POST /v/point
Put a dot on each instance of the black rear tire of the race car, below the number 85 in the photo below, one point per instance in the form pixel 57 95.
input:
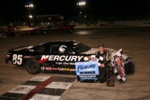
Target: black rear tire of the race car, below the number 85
pixel 32 66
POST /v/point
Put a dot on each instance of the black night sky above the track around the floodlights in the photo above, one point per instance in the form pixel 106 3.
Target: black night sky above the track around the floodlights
pixel 15 9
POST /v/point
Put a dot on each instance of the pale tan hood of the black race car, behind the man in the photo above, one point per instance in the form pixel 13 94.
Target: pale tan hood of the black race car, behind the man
pixel 113 52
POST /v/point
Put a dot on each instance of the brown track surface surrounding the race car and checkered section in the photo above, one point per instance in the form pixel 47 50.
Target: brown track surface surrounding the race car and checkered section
pixel 135 42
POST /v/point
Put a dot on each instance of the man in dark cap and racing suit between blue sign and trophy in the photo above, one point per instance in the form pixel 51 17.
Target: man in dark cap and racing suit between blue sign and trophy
pixel 103 58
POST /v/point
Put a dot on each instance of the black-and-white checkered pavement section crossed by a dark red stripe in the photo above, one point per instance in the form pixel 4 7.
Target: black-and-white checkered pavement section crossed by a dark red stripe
pixel 40 88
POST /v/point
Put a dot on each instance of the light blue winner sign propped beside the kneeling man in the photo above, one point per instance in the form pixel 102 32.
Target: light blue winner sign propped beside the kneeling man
pixel 87 71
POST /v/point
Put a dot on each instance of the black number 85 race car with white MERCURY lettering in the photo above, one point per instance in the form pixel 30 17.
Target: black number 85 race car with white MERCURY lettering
pixel 55 56
